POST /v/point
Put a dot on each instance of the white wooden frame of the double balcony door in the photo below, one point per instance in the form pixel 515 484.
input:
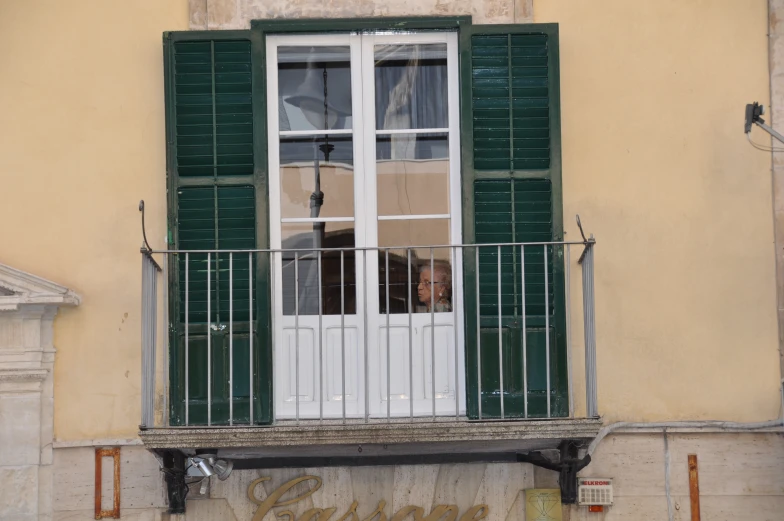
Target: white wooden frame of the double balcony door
pixel 365 220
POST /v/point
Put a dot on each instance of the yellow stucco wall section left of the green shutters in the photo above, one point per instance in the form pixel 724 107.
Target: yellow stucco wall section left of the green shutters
pixel 81 141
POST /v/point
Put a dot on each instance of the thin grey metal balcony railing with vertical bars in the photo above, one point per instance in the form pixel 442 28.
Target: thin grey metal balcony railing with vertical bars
pixel 342 338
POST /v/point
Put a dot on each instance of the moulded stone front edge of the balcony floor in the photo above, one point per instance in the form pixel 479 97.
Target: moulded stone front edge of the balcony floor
pixel 285 435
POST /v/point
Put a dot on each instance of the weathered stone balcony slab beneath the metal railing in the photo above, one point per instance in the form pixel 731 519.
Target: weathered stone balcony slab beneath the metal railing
pixel 373 439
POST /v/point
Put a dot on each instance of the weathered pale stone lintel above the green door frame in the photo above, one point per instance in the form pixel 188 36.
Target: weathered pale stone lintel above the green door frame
pixel 237 14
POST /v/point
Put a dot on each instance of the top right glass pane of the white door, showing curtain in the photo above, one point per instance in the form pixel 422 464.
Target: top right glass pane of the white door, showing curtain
pixel 411 86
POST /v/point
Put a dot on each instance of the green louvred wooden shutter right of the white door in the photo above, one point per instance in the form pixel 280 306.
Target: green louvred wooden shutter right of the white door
pixel 512 178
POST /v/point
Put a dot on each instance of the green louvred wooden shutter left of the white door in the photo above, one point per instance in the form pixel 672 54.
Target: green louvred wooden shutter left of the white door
pixel 213 204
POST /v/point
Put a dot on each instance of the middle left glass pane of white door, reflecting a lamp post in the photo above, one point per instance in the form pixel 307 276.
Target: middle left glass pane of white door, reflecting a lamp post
pixel 326 161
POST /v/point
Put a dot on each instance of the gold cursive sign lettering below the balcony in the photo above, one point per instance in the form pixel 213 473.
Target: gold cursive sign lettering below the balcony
pixel 408 513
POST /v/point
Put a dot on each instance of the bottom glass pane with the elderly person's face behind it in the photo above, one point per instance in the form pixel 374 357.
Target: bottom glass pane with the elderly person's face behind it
pixel 422 233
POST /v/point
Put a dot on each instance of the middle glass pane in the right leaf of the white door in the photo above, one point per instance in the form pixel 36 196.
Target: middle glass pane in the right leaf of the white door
pixel 412 174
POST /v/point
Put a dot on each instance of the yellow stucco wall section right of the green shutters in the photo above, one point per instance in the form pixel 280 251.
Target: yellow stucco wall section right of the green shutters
pixel 656 164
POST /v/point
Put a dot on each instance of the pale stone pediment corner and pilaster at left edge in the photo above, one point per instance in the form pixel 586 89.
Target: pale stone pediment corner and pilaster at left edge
pixel 28 305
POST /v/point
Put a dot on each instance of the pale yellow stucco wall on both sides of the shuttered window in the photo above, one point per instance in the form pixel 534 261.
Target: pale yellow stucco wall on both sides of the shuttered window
pixel 654 161
